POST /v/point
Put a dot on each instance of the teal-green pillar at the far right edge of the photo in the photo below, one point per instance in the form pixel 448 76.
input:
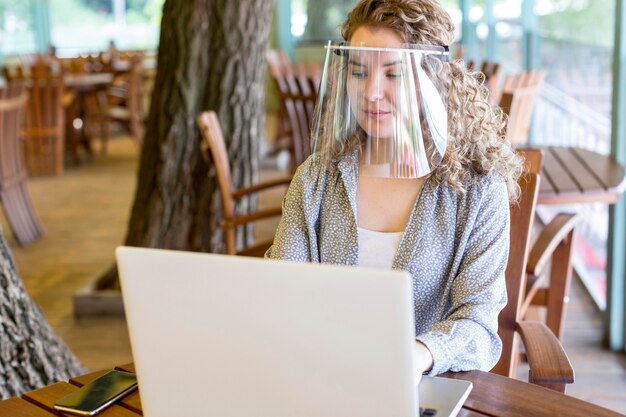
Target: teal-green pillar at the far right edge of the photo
pixel 615 318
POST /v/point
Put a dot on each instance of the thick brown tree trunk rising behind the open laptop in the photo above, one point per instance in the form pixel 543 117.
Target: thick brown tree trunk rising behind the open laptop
pixel 211 57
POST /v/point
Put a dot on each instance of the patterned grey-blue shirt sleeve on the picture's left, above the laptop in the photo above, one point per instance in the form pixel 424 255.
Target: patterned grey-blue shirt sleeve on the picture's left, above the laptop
pixel 296 238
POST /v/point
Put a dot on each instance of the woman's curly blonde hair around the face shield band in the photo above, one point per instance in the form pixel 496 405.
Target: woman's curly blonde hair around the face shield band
pixel 476 143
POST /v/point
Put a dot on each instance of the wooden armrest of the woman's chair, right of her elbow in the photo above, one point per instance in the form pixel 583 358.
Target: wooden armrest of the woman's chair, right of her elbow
pixel 549 365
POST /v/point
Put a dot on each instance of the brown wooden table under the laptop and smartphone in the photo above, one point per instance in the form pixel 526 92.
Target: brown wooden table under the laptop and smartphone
pixel 493 395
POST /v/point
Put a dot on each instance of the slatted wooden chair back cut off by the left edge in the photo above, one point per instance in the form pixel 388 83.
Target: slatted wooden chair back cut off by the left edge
pixel 14 195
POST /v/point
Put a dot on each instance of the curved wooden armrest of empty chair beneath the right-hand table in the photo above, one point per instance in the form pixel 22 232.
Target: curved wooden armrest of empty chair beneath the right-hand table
pixel 549 238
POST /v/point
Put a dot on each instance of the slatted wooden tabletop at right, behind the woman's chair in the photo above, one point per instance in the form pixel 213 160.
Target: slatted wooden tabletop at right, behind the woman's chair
pixel 573 175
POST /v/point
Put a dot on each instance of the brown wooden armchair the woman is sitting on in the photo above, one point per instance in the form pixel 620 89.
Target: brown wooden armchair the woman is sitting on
pixel 549 365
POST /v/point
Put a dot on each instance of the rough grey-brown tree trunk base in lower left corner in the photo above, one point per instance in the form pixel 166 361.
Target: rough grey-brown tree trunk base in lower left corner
pixel 31 354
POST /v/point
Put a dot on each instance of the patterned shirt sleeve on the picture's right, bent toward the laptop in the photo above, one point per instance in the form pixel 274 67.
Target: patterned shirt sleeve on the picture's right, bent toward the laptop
pixel 467 336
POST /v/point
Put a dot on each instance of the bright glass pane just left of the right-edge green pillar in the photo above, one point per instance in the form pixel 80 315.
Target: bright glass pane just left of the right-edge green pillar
pixel 576 41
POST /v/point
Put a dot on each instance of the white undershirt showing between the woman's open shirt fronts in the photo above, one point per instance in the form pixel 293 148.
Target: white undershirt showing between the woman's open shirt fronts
pixel 377 249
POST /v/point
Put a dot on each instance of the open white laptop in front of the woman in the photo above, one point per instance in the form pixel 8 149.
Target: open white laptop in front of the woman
pixel 216 335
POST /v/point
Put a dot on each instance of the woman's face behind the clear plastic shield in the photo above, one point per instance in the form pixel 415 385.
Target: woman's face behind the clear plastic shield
pixel 372 80
